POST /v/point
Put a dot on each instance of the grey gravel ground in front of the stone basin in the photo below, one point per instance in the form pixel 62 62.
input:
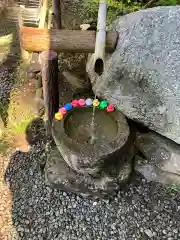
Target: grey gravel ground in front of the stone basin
pixel 142 211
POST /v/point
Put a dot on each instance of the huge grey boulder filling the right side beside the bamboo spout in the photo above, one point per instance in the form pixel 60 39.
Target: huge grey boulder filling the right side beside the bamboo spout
pixel 142 76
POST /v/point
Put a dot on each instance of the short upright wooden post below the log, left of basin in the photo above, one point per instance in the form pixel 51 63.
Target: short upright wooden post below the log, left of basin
pixel 49 69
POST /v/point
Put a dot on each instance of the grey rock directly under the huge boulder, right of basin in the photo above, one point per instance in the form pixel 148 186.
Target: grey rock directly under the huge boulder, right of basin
pixel 160 152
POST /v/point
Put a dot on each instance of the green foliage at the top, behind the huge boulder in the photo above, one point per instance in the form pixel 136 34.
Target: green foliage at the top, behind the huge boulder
pixel 121 7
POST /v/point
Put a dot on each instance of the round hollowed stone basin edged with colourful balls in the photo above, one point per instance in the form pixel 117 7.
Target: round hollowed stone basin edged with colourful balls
pixel 72 136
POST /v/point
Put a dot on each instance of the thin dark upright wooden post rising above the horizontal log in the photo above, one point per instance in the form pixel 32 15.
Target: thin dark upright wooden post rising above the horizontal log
pixel 57 14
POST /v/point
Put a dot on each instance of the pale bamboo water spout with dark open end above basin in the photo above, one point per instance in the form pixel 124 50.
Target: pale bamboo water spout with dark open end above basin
pixel 99 55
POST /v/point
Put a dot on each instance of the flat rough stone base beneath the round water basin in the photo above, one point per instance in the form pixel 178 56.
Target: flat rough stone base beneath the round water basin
pixel 60 176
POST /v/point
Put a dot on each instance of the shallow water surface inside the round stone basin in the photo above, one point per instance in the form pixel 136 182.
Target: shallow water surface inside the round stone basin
pixel 78 126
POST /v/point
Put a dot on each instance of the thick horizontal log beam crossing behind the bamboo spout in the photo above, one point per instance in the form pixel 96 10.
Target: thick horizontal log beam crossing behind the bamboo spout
pixel 39 40
